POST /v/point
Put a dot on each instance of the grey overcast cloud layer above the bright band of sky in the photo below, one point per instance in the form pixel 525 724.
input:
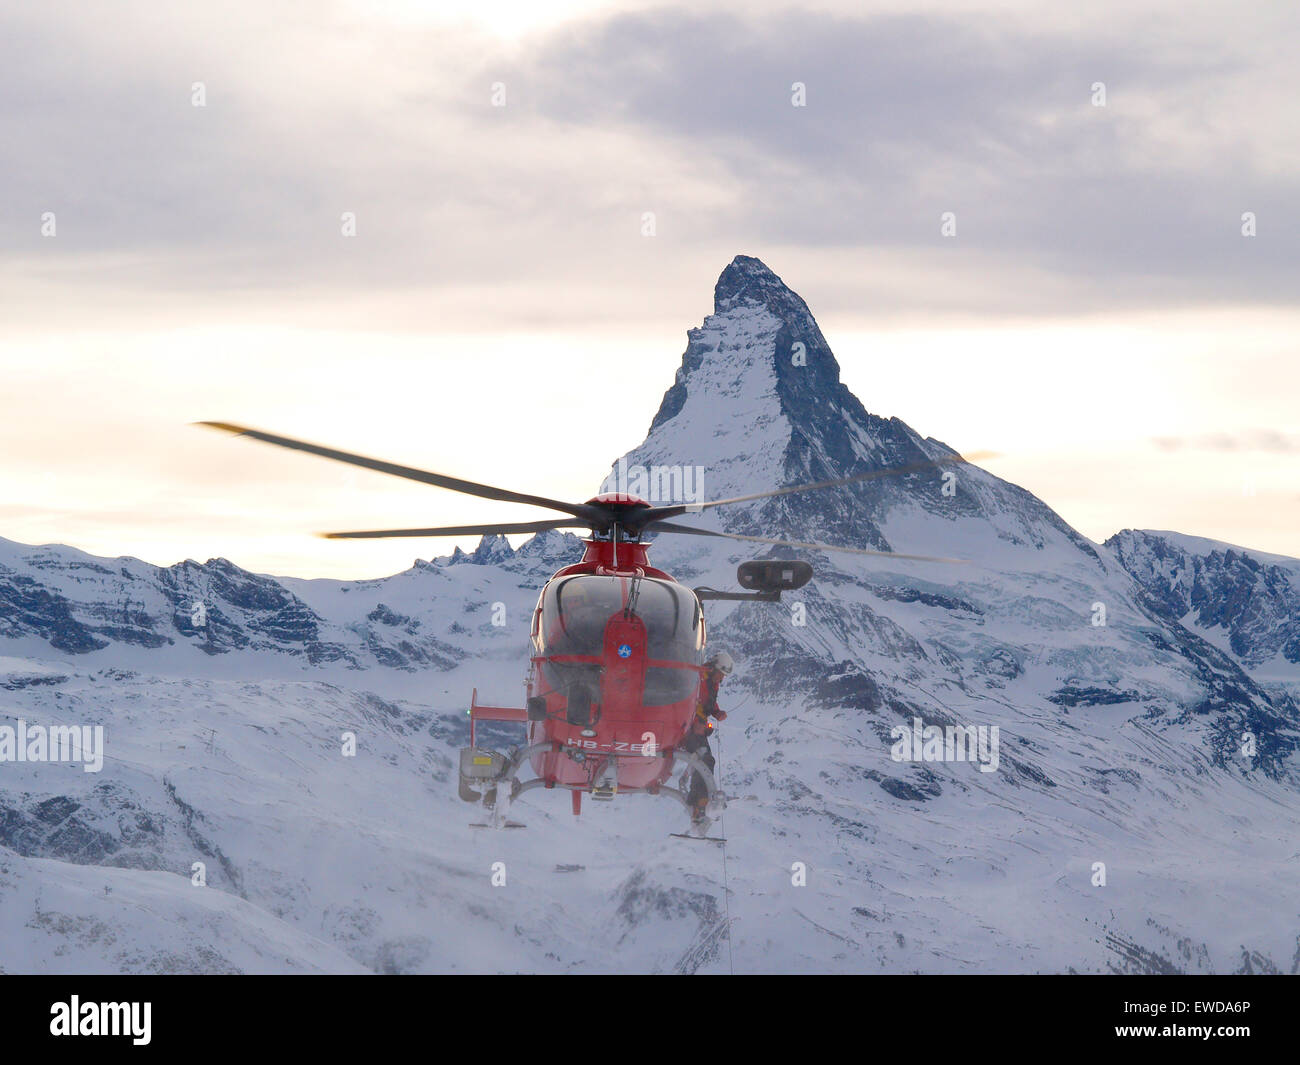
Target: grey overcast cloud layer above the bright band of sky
pixel 1068 205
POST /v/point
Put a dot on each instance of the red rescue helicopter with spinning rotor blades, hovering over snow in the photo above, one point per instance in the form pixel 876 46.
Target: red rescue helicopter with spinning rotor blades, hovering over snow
pixel 618 646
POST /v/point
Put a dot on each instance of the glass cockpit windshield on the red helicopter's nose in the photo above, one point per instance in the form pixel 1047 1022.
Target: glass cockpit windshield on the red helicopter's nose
pixel 575 612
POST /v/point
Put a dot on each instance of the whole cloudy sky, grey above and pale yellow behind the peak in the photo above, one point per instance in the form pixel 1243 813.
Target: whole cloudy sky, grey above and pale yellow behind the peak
pixel 1099 317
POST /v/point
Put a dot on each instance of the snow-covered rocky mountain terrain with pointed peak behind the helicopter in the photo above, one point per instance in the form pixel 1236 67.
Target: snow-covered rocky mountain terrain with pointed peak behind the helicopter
pixel 1143 692
